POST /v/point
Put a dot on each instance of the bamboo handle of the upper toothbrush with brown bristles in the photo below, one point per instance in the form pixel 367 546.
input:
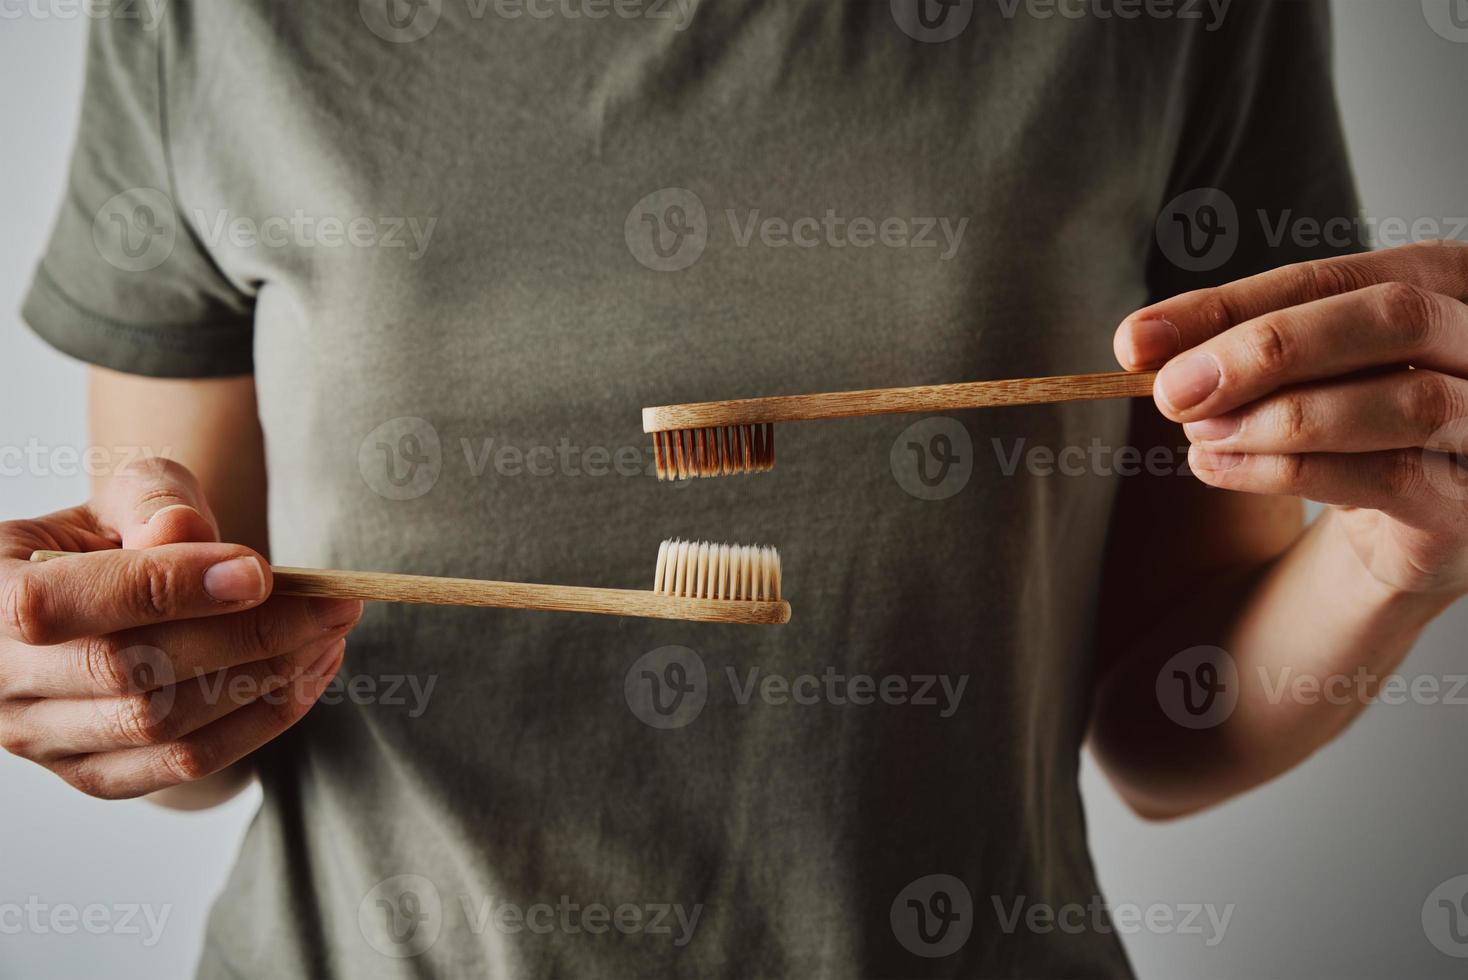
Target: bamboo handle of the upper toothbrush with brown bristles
pixel 895 401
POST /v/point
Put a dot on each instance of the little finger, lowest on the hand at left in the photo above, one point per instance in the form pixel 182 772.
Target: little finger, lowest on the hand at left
pixel 133 772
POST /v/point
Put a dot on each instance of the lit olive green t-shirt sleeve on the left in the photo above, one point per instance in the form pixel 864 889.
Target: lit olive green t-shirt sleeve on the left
pixel 126 282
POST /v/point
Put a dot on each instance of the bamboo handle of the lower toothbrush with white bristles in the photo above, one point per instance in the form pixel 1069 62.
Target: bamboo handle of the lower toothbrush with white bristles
pixel 472 592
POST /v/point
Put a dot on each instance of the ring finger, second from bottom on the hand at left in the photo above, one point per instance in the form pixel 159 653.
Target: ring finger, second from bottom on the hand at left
pixel 49 730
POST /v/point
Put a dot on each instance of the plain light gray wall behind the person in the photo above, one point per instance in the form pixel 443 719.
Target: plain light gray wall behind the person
pixel 1328 871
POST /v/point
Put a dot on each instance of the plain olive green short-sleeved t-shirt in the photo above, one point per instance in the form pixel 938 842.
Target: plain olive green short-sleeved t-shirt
pixel 462 243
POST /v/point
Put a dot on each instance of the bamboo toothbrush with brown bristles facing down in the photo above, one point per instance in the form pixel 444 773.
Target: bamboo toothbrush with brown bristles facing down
pixel 717 439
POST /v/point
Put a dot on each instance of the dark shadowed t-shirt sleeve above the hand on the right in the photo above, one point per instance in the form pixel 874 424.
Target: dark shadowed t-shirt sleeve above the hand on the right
pixel 1262 177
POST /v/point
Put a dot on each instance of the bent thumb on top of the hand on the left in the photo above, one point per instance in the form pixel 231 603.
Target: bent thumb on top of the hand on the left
pixel 155 502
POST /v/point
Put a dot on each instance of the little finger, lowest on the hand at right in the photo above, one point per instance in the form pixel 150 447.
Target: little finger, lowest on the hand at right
pixel 1407 485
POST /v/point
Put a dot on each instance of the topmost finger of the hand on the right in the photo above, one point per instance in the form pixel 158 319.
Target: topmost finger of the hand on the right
pixel 1163 331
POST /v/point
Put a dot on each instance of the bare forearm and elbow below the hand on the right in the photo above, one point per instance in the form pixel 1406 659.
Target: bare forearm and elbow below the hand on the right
pixel 1312 636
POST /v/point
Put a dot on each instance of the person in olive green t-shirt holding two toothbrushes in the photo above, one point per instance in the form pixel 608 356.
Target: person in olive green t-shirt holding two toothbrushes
pixel 422 265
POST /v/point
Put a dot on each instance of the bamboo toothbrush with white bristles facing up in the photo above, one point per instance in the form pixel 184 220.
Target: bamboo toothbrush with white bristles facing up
pixel 695 580
